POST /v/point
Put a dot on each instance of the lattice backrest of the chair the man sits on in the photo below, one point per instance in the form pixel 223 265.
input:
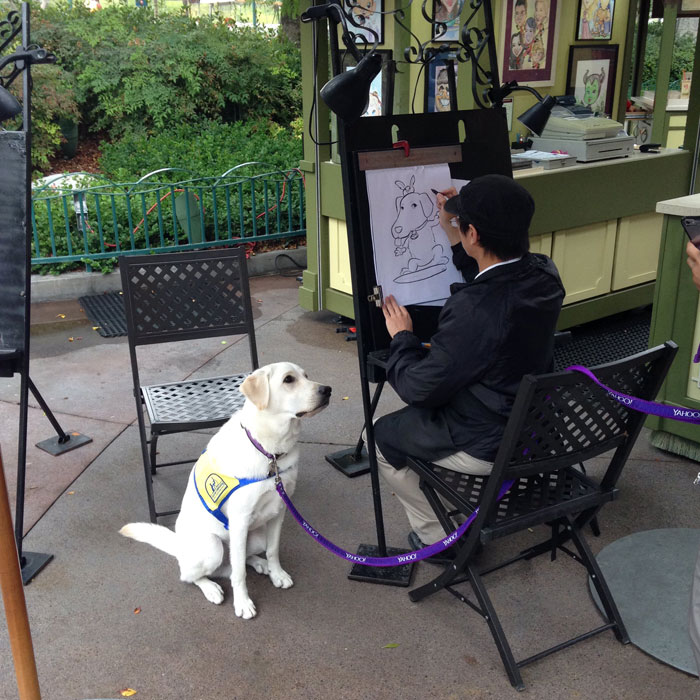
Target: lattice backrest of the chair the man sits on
pixel 562 419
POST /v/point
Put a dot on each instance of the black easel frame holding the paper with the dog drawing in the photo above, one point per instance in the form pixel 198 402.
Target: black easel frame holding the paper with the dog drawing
pixel 473 143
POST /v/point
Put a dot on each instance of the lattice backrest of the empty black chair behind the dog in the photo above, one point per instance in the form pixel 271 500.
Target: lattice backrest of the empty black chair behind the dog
pixel 184 296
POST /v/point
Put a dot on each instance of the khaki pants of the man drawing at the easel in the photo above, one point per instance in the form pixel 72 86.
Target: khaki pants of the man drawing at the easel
pixel 404 483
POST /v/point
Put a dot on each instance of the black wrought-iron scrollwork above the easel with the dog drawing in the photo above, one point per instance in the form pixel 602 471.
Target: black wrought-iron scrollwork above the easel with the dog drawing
pixel 476 45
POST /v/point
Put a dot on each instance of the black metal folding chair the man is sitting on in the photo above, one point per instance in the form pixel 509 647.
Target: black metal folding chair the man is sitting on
pixel 558 421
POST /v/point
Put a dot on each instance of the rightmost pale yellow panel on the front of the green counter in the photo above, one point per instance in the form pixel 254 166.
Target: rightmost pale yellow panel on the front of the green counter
pixel 637 250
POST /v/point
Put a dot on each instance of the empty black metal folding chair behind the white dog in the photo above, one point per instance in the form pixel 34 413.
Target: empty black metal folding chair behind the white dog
pixel 185 296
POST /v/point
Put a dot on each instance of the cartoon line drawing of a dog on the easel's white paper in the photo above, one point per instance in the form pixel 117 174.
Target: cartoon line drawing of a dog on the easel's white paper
pixel 412 230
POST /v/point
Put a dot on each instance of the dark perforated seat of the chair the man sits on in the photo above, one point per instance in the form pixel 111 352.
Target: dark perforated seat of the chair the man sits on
pixel 532 500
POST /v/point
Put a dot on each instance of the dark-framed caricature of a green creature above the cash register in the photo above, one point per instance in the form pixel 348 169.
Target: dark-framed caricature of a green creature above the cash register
pixel 591 76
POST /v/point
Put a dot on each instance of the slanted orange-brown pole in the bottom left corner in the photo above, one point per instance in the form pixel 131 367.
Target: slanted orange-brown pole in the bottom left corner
pixel 15 604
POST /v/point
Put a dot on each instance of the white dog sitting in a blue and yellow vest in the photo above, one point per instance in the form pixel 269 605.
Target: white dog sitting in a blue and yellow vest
pixel 231 492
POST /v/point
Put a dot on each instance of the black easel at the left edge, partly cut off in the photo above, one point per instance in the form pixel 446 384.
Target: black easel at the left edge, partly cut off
pixel 15 277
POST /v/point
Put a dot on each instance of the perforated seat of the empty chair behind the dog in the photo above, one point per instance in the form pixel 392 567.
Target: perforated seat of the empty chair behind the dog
pixel 199 403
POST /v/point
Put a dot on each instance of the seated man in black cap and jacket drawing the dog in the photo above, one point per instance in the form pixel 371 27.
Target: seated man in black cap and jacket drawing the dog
pixel 492 330
